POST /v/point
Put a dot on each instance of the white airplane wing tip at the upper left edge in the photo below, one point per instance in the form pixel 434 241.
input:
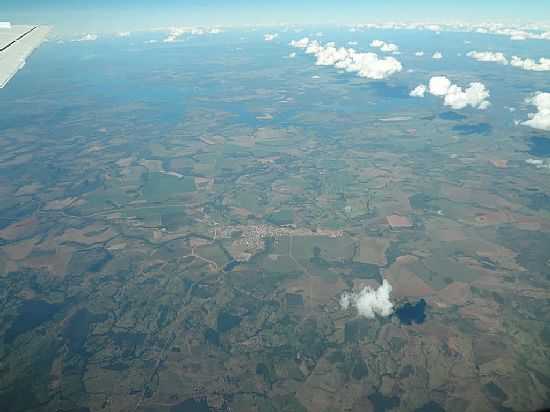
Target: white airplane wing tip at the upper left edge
pixel 16 44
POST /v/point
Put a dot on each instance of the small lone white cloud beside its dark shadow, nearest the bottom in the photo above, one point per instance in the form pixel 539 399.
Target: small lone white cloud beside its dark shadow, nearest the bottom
pixel 370 302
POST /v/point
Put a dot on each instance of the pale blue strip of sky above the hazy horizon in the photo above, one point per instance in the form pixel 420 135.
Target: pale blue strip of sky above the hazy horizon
pixel 120 15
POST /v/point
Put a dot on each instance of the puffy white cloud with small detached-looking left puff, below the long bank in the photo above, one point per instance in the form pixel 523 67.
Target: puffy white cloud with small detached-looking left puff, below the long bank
pixel 454 96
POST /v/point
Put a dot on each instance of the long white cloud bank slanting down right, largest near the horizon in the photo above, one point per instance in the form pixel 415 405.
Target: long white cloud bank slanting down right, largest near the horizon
pixel 367 65
